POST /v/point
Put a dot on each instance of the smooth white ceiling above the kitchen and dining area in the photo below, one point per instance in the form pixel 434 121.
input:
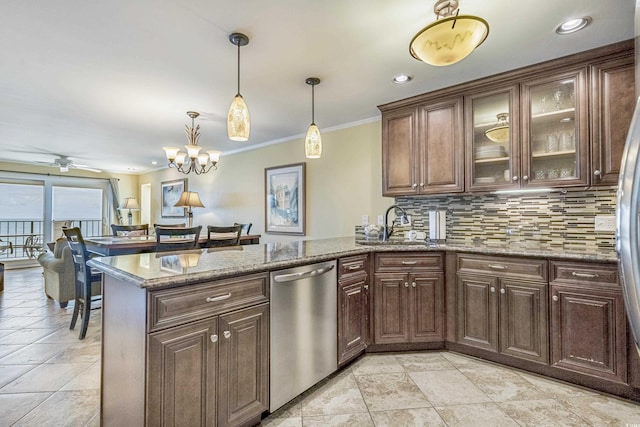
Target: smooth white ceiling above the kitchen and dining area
pixel 108 83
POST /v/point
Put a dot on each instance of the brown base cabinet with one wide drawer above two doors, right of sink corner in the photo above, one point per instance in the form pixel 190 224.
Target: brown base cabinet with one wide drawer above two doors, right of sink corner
pixel 502 305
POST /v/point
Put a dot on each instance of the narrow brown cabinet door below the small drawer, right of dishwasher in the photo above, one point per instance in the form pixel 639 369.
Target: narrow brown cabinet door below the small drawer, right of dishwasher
pixel 351 318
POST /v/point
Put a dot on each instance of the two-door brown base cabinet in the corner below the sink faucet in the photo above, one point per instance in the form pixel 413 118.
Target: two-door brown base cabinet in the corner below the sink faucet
pixel 409 298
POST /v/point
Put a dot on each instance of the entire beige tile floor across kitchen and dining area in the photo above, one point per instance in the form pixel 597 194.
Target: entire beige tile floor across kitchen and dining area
pixel 49 377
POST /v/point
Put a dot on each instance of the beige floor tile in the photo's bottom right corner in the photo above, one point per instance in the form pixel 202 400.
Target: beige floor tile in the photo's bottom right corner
pixel 605 410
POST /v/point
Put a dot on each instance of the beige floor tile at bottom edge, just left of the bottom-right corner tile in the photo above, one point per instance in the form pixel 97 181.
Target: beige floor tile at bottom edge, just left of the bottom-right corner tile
pixel 542 413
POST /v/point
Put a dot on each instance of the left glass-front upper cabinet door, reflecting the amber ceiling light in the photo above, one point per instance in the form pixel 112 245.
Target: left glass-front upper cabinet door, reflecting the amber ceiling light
pixel 493 150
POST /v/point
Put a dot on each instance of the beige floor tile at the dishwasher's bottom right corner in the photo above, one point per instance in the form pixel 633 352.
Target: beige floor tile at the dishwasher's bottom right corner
pixel 338 396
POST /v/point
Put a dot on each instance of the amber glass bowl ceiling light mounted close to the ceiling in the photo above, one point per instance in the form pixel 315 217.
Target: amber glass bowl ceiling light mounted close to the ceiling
pixel 450 39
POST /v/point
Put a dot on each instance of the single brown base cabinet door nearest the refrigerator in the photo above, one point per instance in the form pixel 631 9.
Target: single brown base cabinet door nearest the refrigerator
pixel 588 331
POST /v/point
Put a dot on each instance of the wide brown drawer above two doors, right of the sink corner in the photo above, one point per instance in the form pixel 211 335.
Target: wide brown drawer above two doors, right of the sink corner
pixel 503 266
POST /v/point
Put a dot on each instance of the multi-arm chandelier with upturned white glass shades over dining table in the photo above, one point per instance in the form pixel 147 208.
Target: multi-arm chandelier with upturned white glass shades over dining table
pixel 192 160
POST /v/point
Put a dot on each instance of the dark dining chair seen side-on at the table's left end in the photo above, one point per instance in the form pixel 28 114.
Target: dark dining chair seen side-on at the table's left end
pixel 85 277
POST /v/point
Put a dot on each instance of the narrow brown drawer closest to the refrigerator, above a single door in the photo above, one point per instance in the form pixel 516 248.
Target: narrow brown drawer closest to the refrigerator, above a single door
pixel 579 272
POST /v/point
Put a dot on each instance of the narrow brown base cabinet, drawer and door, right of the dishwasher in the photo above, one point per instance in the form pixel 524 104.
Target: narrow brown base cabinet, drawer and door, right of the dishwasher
pixel 353 307
